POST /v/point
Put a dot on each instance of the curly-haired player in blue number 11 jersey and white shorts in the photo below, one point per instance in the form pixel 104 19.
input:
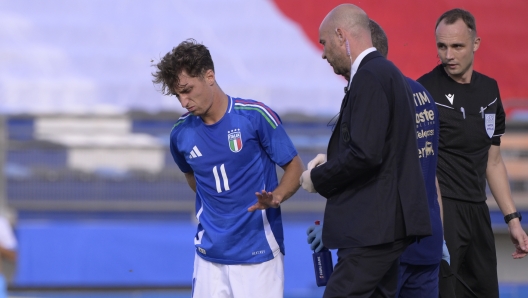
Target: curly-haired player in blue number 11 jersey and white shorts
pixel 228 148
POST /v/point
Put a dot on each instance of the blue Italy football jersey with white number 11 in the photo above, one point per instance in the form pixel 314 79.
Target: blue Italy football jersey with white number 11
pixel 232 160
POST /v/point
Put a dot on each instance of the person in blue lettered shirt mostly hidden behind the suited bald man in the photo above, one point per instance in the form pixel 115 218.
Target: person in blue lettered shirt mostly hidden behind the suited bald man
pixel 419 263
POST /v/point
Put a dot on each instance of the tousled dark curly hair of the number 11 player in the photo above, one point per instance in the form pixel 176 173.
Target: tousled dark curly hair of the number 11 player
pixel 189 56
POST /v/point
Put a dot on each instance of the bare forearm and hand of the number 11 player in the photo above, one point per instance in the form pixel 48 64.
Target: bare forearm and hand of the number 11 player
pixel 288 185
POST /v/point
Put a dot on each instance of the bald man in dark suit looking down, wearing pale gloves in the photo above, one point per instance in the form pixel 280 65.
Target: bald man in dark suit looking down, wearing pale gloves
pixel 372 179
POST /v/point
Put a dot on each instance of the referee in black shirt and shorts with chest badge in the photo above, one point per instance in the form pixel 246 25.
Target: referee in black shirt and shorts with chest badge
pixel 472 120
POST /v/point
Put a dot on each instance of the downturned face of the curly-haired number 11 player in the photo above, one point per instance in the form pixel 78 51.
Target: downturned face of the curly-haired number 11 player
pixel 196 93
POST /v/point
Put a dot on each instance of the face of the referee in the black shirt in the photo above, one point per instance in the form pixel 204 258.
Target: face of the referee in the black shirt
pixel 456 47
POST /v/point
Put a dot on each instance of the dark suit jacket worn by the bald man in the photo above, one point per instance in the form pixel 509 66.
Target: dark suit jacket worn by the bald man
pixel 373 163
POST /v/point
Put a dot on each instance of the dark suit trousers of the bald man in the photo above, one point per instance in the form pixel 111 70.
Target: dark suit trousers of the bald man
pixel 370 271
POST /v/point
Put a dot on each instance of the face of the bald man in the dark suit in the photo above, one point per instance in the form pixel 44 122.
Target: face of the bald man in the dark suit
pixel 332 52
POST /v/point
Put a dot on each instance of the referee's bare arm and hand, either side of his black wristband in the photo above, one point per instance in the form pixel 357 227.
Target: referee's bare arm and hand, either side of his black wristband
pixel 500 188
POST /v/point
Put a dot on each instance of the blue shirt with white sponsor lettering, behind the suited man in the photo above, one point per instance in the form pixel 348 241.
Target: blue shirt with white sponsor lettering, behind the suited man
pixel 429 249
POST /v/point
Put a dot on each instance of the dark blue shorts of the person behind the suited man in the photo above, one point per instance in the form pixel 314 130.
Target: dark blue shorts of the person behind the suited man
pixel 417 281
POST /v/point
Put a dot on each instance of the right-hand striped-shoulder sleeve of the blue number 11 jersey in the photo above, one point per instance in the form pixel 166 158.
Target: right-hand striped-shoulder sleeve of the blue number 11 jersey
pixel 273 137
